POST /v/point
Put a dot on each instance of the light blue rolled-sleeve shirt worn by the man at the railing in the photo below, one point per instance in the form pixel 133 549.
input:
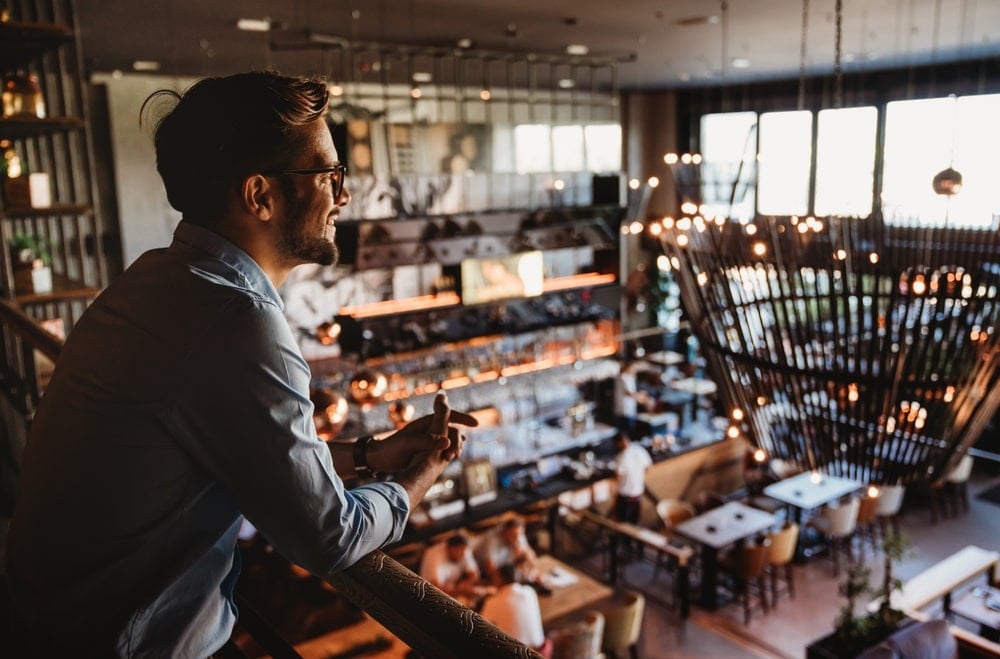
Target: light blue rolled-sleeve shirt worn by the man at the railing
pixel 180 403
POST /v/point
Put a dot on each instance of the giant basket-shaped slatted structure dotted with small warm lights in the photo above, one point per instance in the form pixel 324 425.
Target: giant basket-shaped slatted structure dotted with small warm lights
pixel 846 345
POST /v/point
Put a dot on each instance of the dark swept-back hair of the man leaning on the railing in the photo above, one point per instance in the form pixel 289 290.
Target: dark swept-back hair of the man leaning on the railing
pixel 222 129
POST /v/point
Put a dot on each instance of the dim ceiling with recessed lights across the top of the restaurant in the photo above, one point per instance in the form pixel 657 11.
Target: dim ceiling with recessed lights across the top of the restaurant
pixel 657 44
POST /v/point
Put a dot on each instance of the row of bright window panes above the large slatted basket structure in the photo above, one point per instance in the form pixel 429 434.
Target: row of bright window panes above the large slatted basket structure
pixel 922 138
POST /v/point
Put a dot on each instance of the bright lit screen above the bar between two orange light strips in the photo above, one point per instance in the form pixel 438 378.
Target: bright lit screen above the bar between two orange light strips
pixel 502 277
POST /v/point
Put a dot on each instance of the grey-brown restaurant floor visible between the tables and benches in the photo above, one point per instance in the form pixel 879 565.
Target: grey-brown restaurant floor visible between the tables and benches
pixel 784 632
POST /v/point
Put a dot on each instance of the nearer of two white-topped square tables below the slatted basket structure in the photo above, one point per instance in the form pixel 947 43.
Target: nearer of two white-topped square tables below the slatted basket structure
pixel 729 524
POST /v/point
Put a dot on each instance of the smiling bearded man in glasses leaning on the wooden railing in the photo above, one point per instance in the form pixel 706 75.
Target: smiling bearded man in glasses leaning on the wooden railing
pixel 181 402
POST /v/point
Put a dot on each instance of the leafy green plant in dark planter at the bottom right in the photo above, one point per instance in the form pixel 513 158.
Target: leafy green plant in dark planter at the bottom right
pixel 854 633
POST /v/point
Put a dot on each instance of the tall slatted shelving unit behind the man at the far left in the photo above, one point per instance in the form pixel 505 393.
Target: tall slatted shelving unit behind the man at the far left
pixel 40 40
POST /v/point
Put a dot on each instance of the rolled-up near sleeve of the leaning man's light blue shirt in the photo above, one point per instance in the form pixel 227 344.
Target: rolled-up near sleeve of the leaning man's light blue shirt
pixel 245 408
